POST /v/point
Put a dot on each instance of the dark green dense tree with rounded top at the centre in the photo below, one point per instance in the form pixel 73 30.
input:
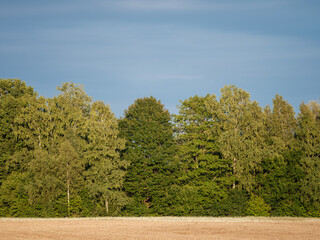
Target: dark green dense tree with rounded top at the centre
pixel 150 150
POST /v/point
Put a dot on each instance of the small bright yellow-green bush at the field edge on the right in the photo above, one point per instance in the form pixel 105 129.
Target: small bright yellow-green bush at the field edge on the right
pixel 258 207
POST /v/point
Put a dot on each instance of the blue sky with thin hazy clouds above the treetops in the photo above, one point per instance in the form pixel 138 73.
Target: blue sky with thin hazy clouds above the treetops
pixel 121 50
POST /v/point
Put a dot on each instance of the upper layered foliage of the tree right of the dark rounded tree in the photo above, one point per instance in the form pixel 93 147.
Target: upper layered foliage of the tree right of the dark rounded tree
pixel 201 159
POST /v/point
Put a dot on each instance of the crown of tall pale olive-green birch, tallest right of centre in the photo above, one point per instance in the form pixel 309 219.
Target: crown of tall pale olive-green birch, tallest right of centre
pixel 241 136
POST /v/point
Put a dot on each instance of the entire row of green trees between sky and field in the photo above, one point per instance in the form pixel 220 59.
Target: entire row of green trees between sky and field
pixel 70 156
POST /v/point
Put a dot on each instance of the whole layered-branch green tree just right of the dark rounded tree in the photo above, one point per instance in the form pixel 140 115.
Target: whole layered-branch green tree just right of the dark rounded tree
pixel 202 167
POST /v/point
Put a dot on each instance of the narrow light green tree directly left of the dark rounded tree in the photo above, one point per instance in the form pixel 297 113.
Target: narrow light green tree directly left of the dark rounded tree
pixel 105 170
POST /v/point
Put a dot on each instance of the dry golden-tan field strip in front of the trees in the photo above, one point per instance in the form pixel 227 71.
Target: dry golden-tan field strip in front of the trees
pixel 160 228
